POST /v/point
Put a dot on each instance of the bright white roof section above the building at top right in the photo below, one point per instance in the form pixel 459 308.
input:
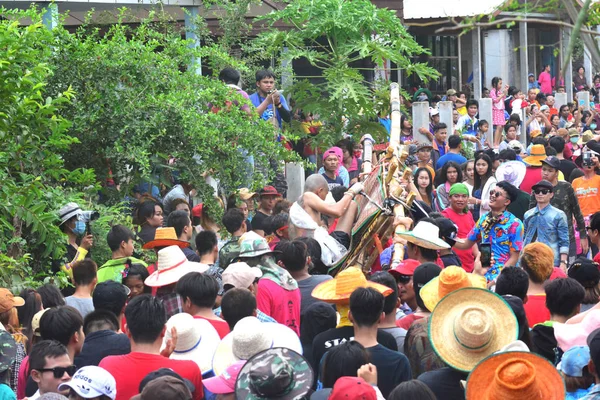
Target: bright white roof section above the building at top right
pixel 430 9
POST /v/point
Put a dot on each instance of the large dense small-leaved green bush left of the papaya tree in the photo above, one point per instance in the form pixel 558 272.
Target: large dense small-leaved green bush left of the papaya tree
pixel 140 112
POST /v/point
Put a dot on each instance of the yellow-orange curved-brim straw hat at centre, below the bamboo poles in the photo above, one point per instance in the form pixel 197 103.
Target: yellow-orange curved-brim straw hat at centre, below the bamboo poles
pixel 339 289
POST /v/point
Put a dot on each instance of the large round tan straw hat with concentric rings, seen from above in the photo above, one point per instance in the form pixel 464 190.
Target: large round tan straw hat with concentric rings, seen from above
pixel 470 324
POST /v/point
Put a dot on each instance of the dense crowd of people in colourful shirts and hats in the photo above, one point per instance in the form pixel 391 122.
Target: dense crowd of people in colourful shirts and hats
pixel 495 295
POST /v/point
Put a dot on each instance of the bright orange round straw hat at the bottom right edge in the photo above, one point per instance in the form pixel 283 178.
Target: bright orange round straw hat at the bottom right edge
pixel 515 375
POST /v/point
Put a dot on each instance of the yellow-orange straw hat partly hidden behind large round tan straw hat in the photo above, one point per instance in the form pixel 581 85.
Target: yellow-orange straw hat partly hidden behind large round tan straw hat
pixel 450 279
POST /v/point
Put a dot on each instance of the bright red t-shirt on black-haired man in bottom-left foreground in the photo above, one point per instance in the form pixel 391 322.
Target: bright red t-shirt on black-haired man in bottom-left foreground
pixel 129 370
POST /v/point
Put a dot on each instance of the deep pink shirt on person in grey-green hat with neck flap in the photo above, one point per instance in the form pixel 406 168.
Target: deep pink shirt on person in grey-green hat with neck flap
pixel 280 304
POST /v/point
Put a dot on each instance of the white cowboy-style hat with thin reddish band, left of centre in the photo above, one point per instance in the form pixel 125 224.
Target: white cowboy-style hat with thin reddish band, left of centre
pixel 172 264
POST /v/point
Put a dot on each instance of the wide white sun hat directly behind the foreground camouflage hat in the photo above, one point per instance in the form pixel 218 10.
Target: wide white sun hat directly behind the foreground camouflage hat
pixel 249 337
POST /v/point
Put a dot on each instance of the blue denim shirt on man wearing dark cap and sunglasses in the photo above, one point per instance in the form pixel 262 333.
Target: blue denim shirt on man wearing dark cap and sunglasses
pixel 552 229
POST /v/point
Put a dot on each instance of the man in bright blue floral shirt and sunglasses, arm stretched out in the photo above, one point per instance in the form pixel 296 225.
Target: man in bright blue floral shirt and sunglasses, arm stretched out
pixel 499 228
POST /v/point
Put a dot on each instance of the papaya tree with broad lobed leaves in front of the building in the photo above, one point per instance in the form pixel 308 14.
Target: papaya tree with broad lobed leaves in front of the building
pixel 343 38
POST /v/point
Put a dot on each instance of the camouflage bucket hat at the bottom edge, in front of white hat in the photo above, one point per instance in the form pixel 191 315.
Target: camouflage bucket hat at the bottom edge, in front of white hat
pixel 276 373
